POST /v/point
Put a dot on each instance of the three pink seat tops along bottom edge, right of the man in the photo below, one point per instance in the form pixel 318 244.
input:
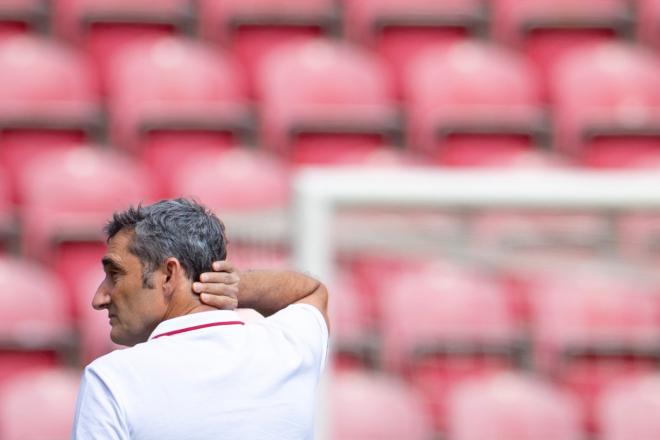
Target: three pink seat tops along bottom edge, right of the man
pixel 501 407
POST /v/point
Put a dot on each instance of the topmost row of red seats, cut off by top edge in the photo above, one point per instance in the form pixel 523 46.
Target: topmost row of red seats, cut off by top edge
pixel 395 28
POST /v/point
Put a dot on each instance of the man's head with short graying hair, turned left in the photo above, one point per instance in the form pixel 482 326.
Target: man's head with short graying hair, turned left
pixel 154 254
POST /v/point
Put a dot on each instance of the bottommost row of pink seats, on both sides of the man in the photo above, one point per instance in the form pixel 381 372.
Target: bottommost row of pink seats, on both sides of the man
pixel 507 407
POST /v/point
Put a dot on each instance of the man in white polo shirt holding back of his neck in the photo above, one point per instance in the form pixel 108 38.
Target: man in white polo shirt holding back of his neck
pixel 193 371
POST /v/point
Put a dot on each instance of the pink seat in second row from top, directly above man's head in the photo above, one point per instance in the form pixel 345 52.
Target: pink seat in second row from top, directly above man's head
pixel 174 98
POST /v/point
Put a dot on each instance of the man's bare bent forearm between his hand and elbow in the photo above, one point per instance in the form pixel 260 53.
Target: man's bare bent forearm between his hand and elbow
pixel 270 291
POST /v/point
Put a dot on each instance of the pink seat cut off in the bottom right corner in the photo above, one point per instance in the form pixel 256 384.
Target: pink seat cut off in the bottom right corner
pixel 629 410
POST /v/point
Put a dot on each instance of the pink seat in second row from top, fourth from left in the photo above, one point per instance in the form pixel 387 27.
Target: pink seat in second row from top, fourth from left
pixel 486 111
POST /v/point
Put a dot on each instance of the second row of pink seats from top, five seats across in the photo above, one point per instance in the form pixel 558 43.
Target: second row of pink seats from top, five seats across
pixel 325 102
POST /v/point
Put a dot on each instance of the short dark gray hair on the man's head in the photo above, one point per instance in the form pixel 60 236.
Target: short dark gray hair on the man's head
pixel 179 228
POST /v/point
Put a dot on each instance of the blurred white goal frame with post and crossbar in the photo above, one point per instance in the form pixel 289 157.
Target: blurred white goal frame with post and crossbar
pixel 319 192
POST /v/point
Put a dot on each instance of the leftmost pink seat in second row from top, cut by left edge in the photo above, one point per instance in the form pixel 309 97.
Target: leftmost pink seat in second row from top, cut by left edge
pixel 47 101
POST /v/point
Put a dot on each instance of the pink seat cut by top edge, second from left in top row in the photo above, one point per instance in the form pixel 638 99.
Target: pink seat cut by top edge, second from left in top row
pixel 103 28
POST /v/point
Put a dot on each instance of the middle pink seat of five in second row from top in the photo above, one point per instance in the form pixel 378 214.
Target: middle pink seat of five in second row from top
pixel 322 101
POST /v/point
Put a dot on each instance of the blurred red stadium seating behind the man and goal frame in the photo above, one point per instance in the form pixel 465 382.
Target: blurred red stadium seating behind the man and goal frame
pixel 492 322
